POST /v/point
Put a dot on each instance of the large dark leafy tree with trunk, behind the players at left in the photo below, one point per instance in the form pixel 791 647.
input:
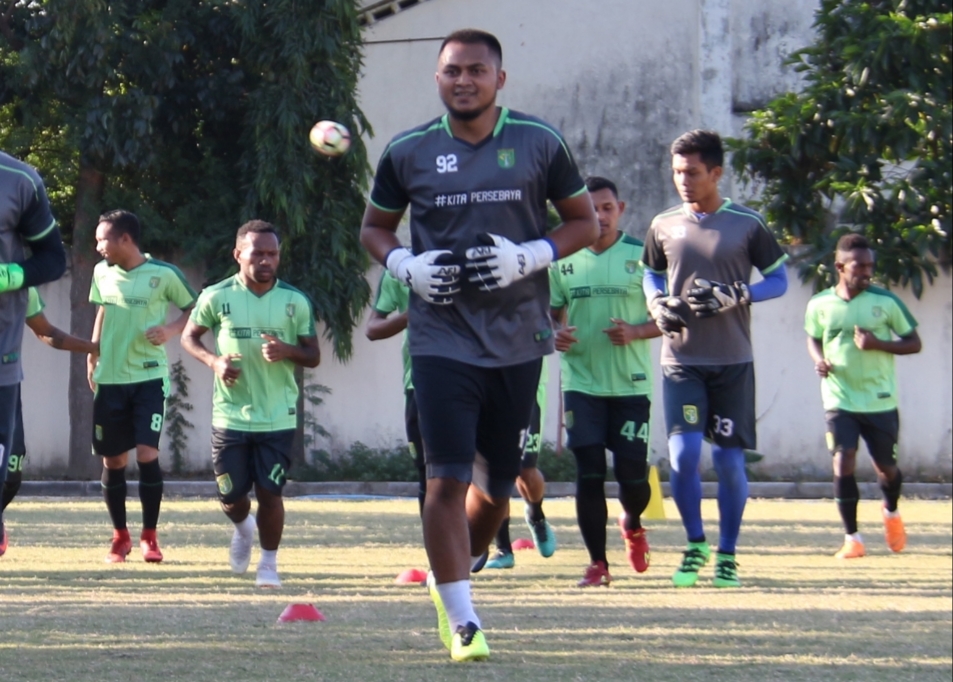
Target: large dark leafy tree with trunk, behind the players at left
pixel 194 114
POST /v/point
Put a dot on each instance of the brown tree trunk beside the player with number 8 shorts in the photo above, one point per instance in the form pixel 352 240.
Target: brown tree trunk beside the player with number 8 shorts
pixel 89 194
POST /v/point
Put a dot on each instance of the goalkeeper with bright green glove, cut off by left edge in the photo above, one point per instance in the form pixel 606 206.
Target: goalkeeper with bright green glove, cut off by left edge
pixel 25 219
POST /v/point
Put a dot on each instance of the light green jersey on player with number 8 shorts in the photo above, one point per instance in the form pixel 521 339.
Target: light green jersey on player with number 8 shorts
pixel 135 301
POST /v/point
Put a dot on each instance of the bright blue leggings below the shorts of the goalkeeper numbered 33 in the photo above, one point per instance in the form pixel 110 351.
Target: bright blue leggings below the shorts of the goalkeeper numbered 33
pixel 685 453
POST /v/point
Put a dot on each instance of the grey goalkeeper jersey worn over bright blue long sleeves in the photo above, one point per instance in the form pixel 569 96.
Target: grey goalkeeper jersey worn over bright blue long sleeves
pixel 721 247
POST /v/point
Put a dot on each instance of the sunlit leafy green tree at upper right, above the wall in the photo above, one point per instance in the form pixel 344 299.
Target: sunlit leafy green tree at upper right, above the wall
pixel 866 144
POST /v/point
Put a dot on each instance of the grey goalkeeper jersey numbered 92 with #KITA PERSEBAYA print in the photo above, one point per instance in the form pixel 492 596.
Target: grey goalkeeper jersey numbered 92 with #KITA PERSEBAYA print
pixel 458 190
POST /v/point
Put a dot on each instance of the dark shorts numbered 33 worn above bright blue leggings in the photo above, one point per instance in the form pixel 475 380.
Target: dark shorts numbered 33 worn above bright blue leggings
pixel 717 400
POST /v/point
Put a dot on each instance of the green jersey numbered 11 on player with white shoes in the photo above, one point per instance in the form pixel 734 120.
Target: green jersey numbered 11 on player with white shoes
pixel 265 396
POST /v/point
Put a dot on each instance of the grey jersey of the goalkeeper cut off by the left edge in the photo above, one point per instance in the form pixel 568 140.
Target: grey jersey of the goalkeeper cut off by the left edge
pixel 24 217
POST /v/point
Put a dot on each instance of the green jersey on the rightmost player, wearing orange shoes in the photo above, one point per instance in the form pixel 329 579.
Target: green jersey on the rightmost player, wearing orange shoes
pixel 861 380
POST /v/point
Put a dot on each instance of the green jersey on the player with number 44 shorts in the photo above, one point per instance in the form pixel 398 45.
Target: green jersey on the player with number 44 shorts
pixel 594 288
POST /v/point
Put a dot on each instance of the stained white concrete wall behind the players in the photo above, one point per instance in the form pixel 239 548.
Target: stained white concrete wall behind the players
pixel 621 79
